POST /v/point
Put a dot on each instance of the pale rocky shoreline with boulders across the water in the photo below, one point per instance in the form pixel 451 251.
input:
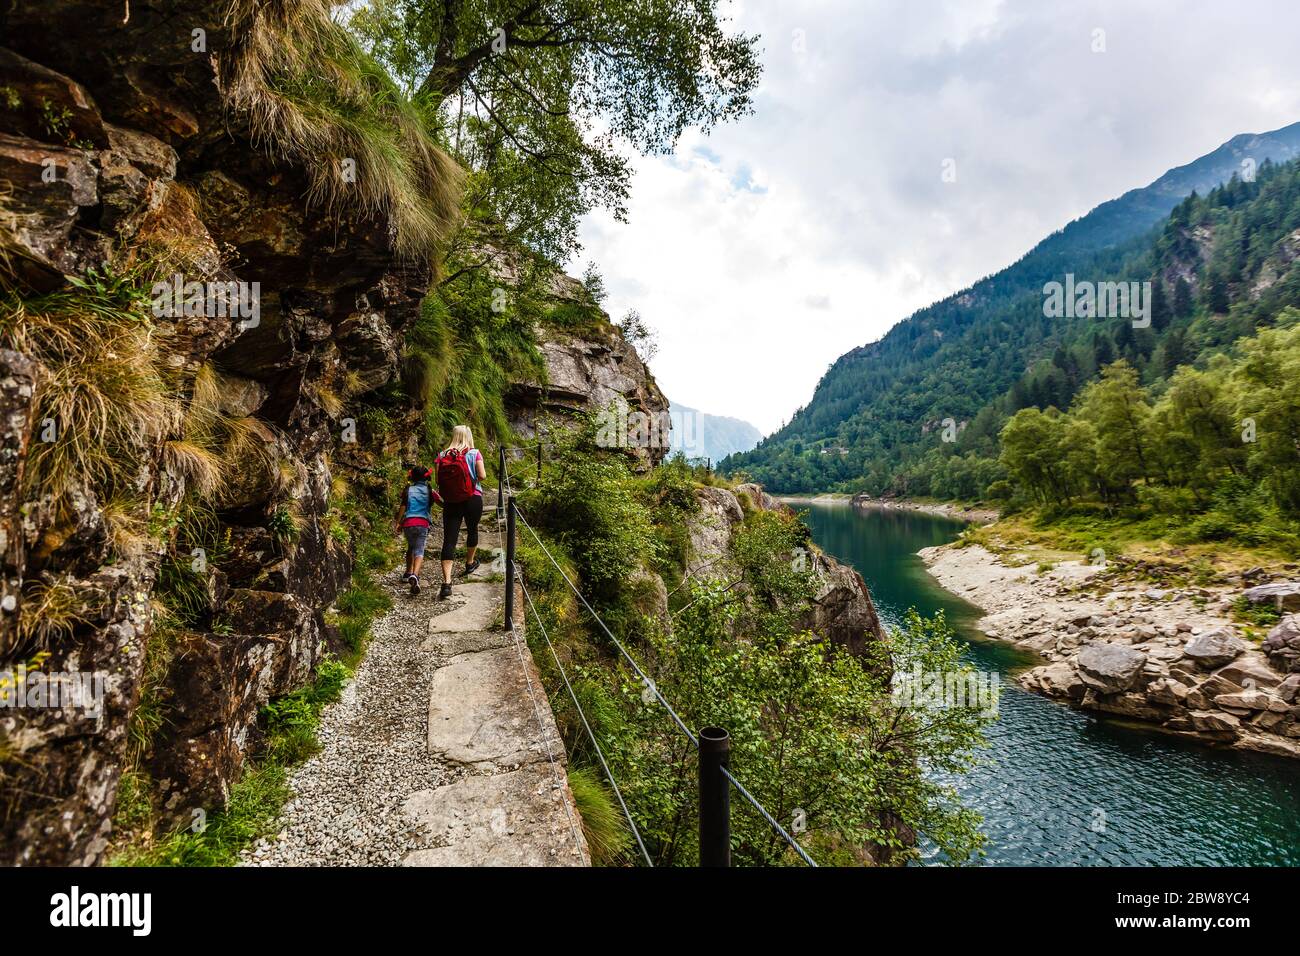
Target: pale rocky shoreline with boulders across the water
pixel 1171 659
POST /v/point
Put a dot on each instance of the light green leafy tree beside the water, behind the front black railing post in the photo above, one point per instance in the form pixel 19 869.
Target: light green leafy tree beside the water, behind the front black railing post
pixel 813 729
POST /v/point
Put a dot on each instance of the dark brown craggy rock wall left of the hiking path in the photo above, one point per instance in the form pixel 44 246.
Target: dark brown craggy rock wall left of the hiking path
pixel 116 139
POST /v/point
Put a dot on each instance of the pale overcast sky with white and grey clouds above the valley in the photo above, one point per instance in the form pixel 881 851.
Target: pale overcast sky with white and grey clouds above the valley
pixel 765 252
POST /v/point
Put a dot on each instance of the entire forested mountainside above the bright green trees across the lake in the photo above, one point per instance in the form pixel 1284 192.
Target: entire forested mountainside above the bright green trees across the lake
pixel 877 419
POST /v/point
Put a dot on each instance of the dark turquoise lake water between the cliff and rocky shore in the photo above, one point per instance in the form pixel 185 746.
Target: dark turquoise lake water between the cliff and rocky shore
pixel 1065 789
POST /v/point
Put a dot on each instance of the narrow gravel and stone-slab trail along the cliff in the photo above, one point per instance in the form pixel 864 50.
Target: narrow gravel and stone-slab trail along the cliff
pixel 441 752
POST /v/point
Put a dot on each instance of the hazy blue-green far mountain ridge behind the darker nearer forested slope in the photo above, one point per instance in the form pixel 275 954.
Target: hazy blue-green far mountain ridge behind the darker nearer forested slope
pixel 878 406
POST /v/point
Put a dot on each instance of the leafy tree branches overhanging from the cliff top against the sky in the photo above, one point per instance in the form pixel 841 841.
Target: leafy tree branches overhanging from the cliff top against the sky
pixel 540 94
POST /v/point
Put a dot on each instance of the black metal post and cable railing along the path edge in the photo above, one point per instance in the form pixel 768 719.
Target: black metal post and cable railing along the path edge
pixel 713 743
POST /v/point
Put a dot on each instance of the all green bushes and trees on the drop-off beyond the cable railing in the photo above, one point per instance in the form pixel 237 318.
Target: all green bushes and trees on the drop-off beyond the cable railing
pixel 816 736
